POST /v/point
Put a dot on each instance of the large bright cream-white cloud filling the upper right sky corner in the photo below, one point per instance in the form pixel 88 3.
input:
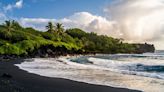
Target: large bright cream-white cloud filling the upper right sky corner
pixel 138 20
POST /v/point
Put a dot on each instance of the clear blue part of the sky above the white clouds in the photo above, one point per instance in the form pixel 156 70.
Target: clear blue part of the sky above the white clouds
pixel 53 8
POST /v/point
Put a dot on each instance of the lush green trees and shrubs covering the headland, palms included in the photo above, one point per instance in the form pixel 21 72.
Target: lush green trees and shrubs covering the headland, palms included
pixel 19 41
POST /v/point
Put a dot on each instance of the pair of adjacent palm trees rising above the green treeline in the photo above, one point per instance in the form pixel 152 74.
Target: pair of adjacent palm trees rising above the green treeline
pixel 58 28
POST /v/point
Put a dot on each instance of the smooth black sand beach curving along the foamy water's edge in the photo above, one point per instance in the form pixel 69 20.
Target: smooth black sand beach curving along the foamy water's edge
pixel 21 81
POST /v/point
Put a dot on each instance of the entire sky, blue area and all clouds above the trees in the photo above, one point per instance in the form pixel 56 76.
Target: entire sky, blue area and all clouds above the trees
pixel 133 20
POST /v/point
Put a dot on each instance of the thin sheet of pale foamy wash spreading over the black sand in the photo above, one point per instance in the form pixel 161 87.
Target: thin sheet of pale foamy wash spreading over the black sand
pixel 63 68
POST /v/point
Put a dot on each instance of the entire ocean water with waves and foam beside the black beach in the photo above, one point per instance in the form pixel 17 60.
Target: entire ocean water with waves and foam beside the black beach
pixel 143 72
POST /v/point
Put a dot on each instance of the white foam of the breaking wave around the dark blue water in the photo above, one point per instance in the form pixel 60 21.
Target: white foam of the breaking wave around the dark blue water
pixel 115 66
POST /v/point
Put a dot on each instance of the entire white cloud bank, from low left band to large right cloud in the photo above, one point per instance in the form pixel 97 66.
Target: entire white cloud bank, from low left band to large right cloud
pixel 132 20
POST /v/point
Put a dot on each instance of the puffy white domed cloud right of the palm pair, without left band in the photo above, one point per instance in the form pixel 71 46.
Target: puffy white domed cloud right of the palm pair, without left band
pixel 89 22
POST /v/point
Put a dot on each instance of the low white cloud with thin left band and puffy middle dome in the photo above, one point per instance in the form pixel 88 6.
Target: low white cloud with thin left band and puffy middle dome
pixel 83 20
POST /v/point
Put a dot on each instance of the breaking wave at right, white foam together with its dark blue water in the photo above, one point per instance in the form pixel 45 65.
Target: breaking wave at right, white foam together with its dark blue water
pixel 143 68
